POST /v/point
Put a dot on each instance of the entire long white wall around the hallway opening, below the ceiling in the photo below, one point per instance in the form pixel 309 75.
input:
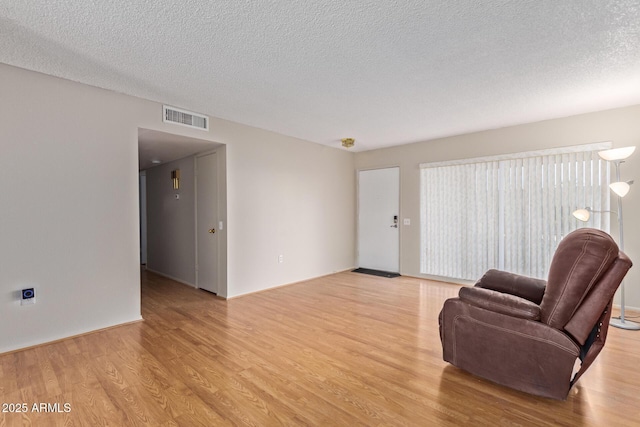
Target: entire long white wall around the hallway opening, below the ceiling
pixel 69 220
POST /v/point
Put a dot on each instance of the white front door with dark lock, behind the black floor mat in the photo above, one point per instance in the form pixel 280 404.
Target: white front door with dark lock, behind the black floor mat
pixel 378 219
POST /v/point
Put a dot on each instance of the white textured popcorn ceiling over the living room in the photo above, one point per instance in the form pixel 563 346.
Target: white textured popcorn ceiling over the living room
pixel 382 72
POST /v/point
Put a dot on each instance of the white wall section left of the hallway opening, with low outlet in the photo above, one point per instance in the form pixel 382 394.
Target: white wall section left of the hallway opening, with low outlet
pixel 69 216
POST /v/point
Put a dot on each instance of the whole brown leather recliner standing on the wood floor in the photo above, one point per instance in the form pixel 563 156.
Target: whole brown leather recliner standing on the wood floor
pixel 526 333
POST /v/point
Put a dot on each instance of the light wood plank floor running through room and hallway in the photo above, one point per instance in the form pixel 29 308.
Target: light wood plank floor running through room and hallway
pixel 344 350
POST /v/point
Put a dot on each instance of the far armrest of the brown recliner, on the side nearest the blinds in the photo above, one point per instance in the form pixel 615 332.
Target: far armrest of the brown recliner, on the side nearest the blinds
pixel 521 286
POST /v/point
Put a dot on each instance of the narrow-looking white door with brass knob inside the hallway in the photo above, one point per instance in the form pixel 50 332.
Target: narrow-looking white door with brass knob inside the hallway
pixel 207 222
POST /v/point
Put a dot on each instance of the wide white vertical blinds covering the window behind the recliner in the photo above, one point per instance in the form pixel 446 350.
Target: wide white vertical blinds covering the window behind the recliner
pixel 507 213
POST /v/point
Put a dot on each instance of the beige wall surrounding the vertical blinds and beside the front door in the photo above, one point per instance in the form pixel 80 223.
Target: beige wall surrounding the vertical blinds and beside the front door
pixel 620 126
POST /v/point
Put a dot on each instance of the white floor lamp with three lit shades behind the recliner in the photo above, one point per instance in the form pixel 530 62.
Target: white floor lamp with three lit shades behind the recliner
pixel 620 188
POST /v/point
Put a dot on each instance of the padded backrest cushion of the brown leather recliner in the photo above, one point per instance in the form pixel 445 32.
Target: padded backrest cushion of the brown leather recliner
pixel 581 260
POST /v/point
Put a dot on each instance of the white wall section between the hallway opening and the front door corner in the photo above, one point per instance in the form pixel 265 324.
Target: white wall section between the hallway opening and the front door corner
pixel 292 198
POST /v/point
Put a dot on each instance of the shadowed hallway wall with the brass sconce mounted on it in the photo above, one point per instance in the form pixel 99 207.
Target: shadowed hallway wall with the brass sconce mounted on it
pixel 171 221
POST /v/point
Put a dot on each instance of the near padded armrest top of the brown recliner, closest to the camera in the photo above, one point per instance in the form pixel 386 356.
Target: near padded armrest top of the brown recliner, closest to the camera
pixel 500 302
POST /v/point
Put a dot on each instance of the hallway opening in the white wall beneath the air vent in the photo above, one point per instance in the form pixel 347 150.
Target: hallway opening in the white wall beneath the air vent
pixel 170 175
